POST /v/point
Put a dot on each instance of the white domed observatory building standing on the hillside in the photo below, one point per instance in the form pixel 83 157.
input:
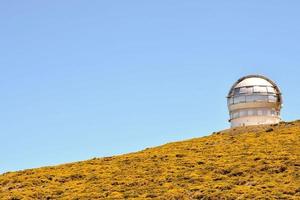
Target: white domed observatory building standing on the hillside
pixel 254 100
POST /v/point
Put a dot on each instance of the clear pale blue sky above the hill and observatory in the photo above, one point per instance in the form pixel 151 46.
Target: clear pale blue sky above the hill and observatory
pixel 83 79
